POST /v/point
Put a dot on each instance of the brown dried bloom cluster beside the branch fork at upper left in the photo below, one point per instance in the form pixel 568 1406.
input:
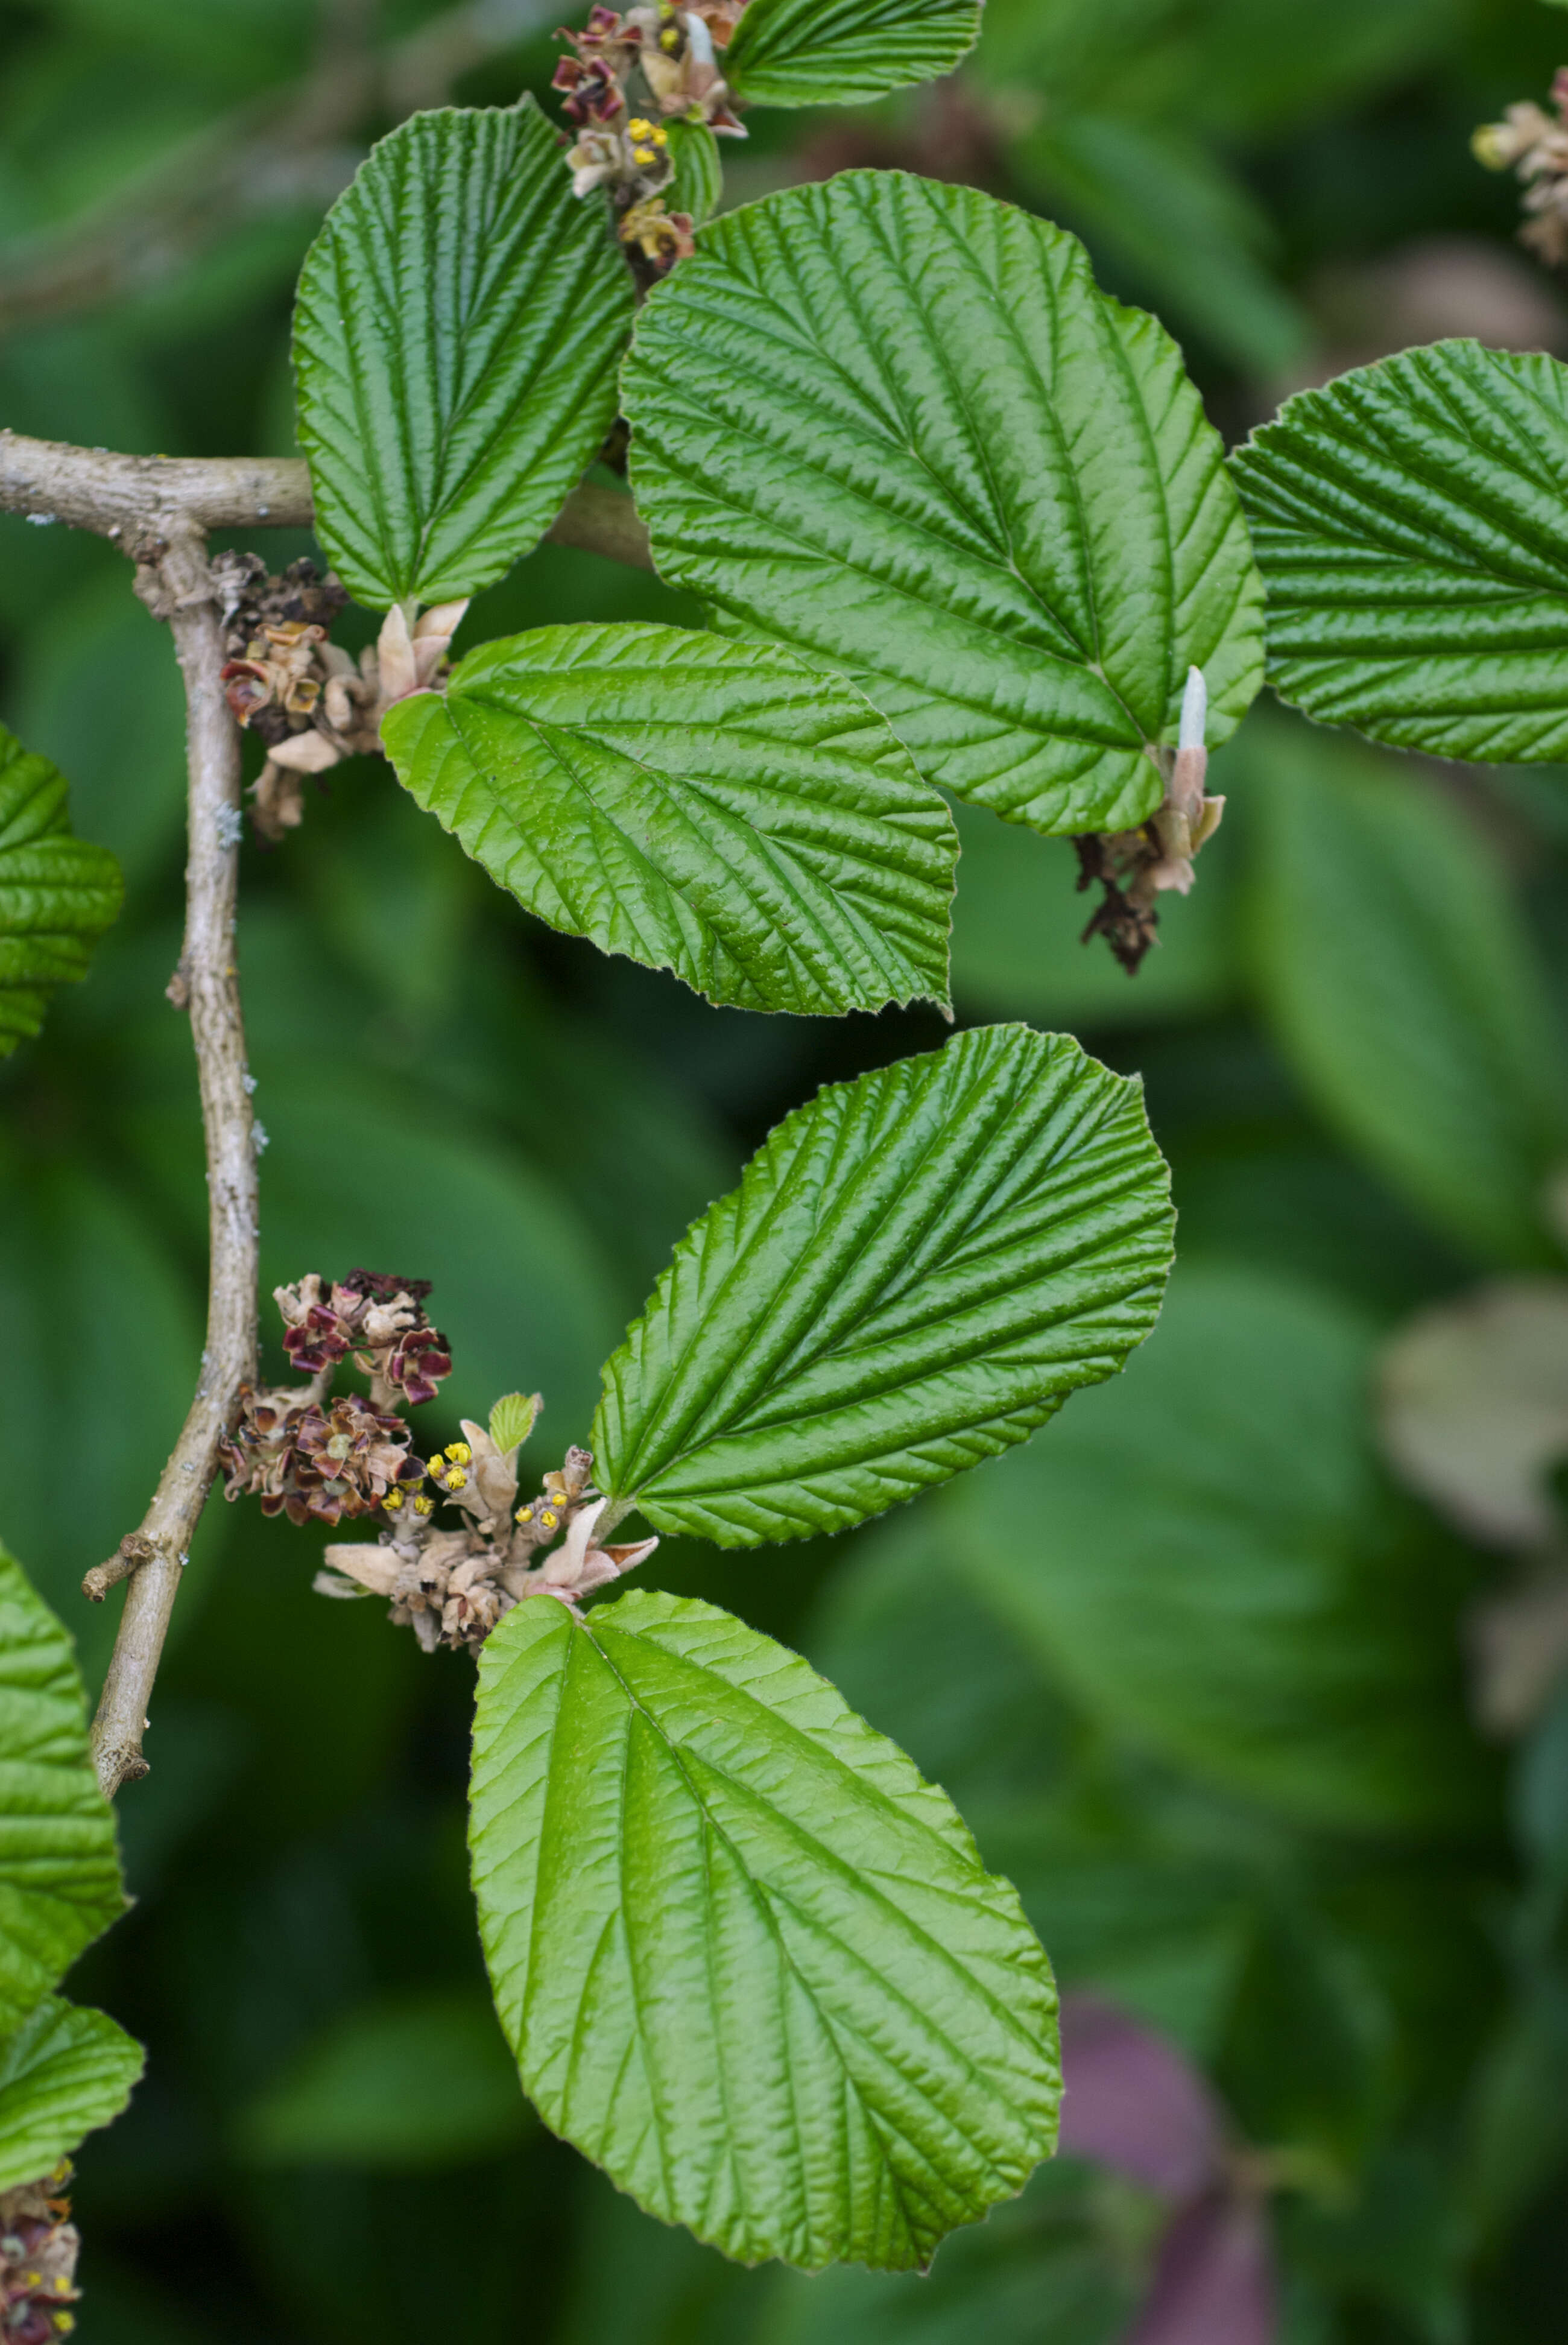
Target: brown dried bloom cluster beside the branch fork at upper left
pixel 304 695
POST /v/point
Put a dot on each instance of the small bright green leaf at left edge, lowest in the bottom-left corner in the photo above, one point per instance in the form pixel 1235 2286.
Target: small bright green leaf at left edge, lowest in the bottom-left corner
pixel 62 2074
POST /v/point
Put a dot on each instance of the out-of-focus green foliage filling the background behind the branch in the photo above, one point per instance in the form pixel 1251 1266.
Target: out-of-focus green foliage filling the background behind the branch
pixel 1194 1664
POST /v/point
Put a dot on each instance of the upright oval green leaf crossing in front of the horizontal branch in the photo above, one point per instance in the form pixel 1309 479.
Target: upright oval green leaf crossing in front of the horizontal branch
pixel 456 341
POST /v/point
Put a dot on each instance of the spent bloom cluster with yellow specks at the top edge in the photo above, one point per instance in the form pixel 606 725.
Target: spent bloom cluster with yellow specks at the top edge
pixel 629 79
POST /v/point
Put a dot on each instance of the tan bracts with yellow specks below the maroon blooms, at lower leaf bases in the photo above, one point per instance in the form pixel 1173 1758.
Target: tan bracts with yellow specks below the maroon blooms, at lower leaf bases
pixel 454 1582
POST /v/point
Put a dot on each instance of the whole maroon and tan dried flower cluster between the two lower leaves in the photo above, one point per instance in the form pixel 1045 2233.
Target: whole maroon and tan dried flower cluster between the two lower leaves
pixel 334 1460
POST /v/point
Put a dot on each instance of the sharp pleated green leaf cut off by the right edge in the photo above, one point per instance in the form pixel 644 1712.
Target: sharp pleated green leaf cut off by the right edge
pixel 1414 536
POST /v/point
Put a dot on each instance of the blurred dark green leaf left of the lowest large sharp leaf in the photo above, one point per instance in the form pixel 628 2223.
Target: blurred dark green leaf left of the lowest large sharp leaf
pixel 402 2086
